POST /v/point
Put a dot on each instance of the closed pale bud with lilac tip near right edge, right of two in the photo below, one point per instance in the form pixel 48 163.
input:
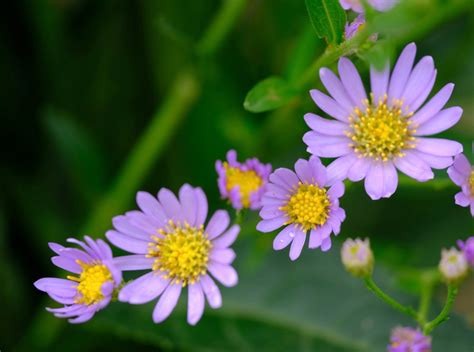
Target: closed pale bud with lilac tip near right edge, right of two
pixel 453 266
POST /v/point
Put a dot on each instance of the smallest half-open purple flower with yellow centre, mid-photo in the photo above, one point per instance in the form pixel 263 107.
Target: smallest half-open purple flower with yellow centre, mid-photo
pixel 242 183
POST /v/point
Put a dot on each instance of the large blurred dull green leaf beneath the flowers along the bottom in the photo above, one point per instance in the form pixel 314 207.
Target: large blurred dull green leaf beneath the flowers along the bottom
pixel 311 304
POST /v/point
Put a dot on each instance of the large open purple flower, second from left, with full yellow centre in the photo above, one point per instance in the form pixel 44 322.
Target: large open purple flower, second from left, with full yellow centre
pixel 168 237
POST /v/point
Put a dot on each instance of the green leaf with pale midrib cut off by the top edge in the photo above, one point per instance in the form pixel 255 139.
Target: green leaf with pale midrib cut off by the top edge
pixel 328 19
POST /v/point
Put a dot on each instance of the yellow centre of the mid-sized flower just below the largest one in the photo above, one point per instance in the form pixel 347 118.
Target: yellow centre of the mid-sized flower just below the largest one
pixel 308 207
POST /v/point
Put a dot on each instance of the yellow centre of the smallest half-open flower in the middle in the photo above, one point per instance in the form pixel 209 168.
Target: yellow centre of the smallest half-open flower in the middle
pixel 247 181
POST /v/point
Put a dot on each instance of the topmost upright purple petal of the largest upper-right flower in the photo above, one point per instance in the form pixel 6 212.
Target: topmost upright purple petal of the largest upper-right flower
pixel 401 72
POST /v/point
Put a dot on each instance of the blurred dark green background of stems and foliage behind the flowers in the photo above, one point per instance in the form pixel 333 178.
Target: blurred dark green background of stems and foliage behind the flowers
pixel 101 99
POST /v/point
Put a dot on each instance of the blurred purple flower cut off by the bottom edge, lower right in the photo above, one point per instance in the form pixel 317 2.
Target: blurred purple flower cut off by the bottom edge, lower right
pixel 406 339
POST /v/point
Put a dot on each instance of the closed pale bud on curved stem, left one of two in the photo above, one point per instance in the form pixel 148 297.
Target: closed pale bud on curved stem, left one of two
pixel 357 257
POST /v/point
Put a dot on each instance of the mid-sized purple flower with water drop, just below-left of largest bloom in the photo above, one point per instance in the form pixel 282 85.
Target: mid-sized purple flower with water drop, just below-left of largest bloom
pixel 303 203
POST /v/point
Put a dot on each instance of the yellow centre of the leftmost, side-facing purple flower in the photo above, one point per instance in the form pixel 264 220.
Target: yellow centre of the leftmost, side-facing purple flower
pixel 92 277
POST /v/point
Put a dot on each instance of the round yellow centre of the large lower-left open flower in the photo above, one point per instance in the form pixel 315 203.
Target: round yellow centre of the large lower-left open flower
pixel 182 253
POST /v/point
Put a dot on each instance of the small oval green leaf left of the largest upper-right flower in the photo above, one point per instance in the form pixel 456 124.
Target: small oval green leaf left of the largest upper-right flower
pixel 269 94
